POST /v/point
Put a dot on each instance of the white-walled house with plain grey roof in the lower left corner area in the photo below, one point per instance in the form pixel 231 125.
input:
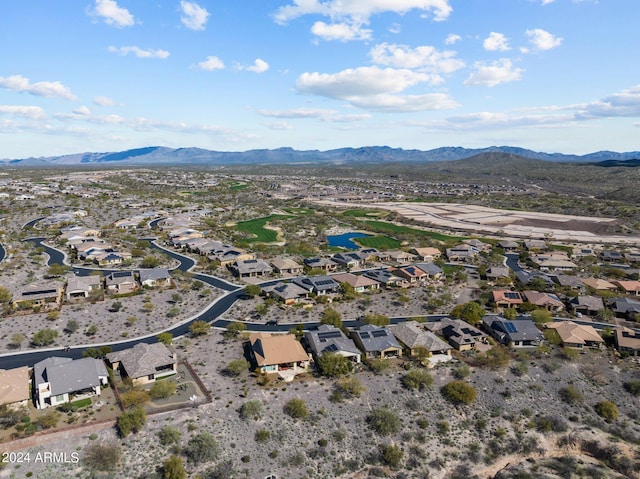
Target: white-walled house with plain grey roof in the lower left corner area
pixel 57 380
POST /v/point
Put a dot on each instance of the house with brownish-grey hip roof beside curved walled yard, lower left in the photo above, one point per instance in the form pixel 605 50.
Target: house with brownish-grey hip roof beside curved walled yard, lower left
pixel 144 363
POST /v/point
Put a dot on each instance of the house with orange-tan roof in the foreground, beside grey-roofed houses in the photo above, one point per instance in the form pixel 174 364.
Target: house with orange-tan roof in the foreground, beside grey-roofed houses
pixel 279 353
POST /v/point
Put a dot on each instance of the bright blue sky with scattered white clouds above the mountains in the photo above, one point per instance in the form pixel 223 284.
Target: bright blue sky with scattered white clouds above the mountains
pixel 108 75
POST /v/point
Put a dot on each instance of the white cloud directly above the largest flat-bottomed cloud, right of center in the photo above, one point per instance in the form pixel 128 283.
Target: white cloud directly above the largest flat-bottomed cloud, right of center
pixel 426 58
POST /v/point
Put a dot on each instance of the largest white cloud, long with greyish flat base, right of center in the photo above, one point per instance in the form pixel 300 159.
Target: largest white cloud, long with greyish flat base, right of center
pixel 374 88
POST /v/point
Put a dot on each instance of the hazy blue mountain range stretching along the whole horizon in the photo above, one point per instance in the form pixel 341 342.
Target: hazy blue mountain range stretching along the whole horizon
pixel 159 155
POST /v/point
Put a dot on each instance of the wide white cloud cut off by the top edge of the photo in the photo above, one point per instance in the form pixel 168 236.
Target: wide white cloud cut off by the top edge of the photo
pixel 360 10
